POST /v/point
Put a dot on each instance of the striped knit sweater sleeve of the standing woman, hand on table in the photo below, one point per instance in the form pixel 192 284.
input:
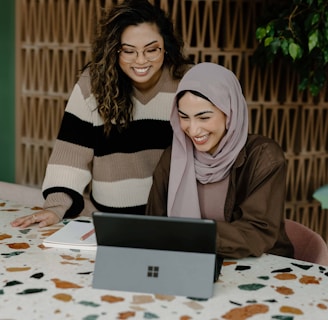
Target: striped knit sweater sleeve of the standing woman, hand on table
pixel 69 168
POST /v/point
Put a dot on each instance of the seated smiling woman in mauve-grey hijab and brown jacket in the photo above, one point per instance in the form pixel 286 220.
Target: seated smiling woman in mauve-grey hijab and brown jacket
pixel 216 170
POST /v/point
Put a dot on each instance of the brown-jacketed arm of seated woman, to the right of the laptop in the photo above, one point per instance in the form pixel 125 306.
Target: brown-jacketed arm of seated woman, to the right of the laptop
pixel 257 217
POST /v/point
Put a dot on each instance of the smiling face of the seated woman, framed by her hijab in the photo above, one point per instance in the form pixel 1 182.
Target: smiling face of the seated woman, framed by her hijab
pixel 202 122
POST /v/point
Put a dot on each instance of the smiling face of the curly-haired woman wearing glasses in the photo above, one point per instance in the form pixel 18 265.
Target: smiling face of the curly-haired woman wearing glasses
pixel 143 73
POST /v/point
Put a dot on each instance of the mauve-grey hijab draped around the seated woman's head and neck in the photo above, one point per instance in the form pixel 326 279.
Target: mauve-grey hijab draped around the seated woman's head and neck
pixel 188 165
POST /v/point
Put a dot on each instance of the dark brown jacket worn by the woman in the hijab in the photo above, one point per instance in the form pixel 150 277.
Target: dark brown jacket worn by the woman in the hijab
pixel 254 207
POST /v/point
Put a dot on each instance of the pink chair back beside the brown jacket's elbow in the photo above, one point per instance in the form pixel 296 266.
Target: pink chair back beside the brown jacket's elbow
pixel 308 245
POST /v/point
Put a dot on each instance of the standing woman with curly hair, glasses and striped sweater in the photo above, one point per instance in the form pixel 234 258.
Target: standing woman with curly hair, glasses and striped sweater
pixel 116 122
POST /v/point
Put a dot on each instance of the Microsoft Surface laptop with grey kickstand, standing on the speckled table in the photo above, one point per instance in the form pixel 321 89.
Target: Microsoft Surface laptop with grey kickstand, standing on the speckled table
pixel 159 255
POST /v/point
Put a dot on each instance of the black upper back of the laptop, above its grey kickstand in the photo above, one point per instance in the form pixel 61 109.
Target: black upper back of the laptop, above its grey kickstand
pixel 154 232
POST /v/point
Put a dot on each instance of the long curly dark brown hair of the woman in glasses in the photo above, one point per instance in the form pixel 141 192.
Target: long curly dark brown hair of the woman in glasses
pixel 111 87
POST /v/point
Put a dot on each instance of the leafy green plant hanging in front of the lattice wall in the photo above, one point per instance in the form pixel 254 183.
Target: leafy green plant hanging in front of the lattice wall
pixel 297 32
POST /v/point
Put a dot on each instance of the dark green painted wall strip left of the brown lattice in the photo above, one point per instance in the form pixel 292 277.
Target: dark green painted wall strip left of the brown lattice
pixel 7 91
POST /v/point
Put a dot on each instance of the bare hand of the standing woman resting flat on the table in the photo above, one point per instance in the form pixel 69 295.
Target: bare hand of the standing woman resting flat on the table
pixel 44 218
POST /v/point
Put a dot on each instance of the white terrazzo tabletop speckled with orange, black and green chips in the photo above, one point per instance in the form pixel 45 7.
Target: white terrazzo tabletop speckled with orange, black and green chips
pixel 48 283
